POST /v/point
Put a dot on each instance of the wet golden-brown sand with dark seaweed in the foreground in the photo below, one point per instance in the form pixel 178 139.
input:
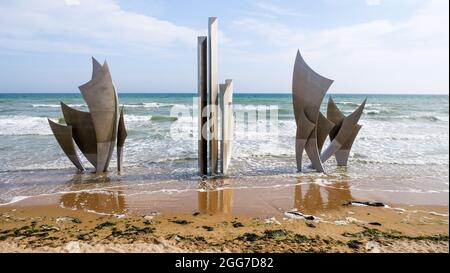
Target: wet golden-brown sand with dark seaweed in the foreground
pixel 223 217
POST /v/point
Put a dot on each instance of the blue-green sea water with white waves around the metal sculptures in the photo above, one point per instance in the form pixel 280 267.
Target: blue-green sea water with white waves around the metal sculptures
pixel 402 146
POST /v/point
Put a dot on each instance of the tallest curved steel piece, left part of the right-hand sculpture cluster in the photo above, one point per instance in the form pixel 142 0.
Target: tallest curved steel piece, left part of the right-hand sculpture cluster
pixel 308 90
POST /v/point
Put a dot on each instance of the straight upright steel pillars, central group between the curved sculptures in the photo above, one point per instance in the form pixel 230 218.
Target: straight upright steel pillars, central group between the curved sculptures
pixel 208 121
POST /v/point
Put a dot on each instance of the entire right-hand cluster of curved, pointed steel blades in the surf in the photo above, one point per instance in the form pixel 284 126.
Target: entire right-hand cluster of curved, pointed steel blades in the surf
pixel 308 91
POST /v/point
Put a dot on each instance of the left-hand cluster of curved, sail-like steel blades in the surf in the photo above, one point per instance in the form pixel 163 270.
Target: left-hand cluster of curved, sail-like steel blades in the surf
pixel 95 132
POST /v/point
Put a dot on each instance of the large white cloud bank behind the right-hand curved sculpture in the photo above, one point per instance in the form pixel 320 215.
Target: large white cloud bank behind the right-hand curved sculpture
pixel 377 56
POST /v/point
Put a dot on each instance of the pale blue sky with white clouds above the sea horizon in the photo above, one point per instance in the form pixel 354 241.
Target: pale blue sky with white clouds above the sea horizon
pixel 365 46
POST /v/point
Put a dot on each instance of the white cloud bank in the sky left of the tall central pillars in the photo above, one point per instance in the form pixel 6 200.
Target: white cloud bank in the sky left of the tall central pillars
pixel 94 26
